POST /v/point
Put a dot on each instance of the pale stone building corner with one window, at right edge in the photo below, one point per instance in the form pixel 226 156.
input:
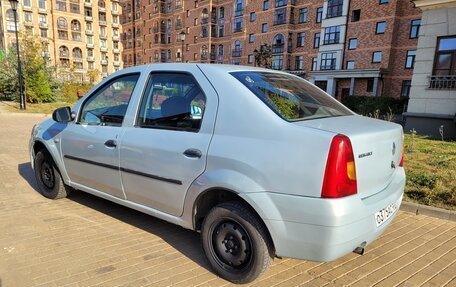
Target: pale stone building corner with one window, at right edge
pixel 432 104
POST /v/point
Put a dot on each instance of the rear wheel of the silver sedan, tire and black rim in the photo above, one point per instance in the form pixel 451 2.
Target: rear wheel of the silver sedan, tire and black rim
pixel 236 242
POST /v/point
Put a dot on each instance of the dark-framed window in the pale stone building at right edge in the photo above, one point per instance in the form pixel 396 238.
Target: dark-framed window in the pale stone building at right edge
pixel 445 58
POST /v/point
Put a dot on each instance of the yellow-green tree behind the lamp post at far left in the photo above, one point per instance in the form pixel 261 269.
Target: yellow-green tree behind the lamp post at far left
pixel 38 82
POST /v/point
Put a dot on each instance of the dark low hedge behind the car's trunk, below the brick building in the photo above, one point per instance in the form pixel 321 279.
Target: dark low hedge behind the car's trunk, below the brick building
pixel 366 105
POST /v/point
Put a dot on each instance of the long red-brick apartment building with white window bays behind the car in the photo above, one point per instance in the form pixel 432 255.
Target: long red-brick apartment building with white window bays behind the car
pixel 347 47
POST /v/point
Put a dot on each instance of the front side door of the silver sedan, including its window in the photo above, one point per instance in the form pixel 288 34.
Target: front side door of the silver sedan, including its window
pixel 90 144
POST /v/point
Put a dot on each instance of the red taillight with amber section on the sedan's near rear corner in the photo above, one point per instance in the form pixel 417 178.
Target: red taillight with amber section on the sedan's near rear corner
pixel 340 173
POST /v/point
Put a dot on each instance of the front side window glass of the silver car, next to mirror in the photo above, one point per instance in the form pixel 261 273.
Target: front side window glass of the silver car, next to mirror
pixel 108 106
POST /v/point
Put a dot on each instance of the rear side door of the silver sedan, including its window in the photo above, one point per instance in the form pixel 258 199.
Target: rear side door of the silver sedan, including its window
pixel 166 149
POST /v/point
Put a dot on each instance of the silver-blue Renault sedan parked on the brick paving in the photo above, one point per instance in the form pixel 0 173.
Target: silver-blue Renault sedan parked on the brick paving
pixel 262 163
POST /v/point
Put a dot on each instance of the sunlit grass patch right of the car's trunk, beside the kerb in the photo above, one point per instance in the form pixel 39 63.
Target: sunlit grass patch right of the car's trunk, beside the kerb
pixel 430 166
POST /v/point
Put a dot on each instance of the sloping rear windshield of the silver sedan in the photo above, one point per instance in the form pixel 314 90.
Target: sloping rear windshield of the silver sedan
pixel 290 97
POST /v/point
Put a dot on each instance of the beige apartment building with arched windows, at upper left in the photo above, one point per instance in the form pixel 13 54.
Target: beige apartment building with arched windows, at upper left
pixel 79 36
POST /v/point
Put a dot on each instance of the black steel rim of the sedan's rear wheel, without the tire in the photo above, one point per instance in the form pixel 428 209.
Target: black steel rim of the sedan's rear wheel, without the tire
pixel 230 245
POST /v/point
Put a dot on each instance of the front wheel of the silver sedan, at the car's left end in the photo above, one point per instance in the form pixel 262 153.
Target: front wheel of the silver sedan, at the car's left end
pixel 48 177
